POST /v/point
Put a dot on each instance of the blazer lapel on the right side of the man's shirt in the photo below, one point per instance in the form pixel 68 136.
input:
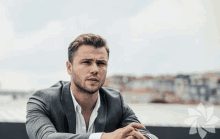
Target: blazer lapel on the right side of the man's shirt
pixel 102 113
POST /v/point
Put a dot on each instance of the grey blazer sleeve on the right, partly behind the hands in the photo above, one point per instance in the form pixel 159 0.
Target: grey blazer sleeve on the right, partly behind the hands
pixel 129 116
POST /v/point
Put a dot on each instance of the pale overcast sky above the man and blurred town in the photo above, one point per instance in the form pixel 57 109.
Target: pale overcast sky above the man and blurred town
pixel 150 37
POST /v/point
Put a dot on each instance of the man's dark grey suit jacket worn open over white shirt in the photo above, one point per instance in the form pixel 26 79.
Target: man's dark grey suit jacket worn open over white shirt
pixel 51 114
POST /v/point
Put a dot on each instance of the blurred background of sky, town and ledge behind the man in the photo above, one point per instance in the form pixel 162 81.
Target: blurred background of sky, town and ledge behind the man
pixel 164 56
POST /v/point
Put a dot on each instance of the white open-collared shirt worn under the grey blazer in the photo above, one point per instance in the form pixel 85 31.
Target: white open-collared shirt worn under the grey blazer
pixel 80 121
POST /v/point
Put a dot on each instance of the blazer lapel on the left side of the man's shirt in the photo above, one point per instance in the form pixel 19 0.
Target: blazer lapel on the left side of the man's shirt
pixel 68 106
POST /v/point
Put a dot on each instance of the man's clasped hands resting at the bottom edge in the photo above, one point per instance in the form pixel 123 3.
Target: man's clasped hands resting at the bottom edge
pixel 128 132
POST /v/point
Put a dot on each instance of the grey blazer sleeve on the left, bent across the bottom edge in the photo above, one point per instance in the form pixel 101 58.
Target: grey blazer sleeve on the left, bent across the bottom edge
pixel 39 125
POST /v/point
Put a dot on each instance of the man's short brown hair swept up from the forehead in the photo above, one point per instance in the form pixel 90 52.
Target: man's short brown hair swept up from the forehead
pixel 86 39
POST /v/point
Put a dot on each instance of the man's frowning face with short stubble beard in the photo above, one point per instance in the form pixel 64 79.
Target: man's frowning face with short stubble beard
pixel 89 68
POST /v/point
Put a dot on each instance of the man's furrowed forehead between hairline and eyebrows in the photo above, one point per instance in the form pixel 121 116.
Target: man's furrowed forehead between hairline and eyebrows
pixel 86 51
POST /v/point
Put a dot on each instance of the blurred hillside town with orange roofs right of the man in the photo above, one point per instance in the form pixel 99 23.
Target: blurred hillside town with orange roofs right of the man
pixel 187 89
